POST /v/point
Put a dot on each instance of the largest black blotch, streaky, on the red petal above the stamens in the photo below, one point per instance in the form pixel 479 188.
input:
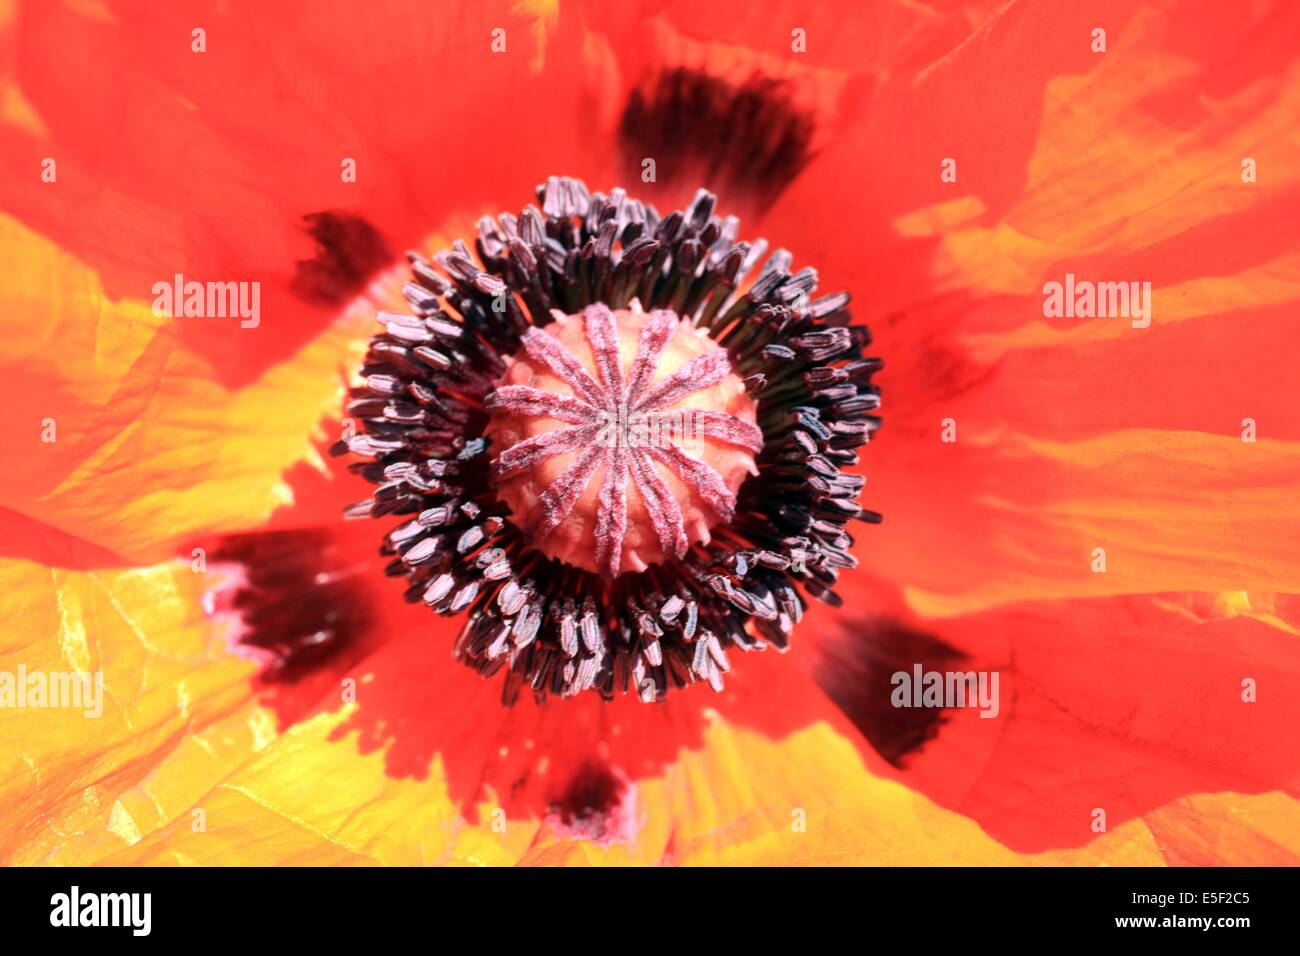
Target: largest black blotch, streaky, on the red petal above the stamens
pixel 749 140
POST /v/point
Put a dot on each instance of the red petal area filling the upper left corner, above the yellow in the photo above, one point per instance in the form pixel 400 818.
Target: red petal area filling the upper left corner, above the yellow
pixel 218 157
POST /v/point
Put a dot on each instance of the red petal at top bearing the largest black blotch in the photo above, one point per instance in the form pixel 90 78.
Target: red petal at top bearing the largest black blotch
pixel 739 98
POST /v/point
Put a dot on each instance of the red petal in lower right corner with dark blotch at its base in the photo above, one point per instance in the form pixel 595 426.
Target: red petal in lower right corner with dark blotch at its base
pixel 1175 712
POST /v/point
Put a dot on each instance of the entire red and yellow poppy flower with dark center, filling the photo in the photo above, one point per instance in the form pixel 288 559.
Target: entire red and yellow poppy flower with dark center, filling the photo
pixel 1095 512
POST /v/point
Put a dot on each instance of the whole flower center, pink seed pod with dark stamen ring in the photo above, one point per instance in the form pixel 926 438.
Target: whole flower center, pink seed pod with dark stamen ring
pixel 622 391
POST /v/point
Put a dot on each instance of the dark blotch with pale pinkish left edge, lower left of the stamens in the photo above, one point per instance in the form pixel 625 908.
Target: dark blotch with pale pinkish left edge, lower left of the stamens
pixel 300 600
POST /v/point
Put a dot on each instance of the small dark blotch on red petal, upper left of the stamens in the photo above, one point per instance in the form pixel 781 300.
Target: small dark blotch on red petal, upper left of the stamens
pixel 349 253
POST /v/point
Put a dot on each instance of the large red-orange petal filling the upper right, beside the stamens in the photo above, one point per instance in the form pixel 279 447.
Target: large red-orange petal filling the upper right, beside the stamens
pixel 1019 444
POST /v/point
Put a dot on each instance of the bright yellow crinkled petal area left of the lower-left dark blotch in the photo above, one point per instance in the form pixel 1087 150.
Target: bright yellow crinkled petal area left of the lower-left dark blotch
pixel 175 712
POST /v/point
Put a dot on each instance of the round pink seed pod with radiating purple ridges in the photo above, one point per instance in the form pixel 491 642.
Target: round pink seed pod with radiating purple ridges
pixel 625 438
